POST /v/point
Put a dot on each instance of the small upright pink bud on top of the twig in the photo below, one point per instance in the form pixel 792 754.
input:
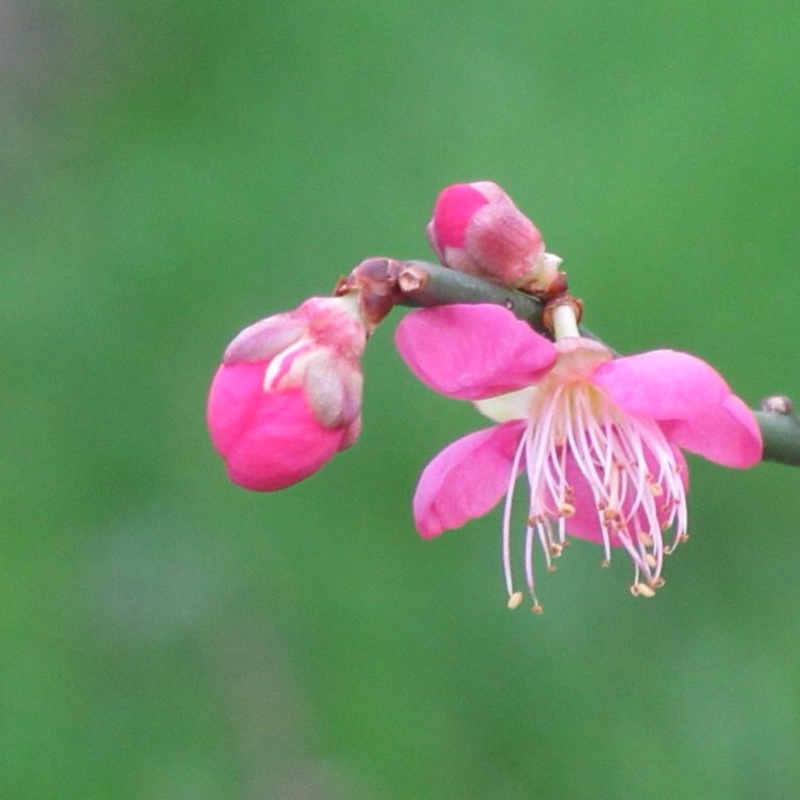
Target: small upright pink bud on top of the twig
pixel 476 228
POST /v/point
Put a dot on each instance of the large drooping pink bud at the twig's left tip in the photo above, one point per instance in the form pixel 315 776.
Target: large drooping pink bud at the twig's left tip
pixel 287 397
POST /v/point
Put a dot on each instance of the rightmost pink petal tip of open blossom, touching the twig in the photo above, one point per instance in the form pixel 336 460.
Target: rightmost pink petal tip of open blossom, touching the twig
pixel 727 434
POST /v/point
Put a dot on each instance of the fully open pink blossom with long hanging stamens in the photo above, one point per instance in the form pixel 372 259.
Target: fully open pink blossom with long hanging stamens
pixel 596 437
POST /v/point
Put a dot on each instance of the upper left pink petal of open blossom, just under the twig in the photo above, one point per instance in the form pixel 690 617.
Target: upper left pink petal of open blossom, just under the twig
pixel 472 352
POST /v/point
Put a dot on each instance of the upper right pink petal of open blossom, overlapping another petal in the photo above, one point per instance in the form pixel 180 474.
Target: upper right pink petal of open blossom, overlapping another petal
pixel 662 384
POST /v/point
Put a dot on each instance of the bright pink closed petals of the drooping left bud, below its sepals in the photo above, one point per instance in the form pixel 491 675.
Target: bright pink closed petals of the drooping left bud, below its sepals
pixel 268 440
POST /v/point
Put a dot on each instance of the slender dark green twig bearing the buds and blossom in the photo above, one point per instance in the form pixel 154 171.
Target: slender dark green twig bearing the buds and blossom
pixel 419 283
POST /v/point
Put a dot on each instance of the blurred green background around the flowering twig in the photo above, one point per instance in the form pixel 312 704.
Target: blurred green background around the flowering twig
pixel 173 171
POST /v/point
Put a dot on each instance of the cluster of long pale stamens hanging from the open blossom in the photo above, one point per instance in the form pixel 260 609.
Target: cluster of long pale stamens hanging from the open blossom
pixel 629 467
